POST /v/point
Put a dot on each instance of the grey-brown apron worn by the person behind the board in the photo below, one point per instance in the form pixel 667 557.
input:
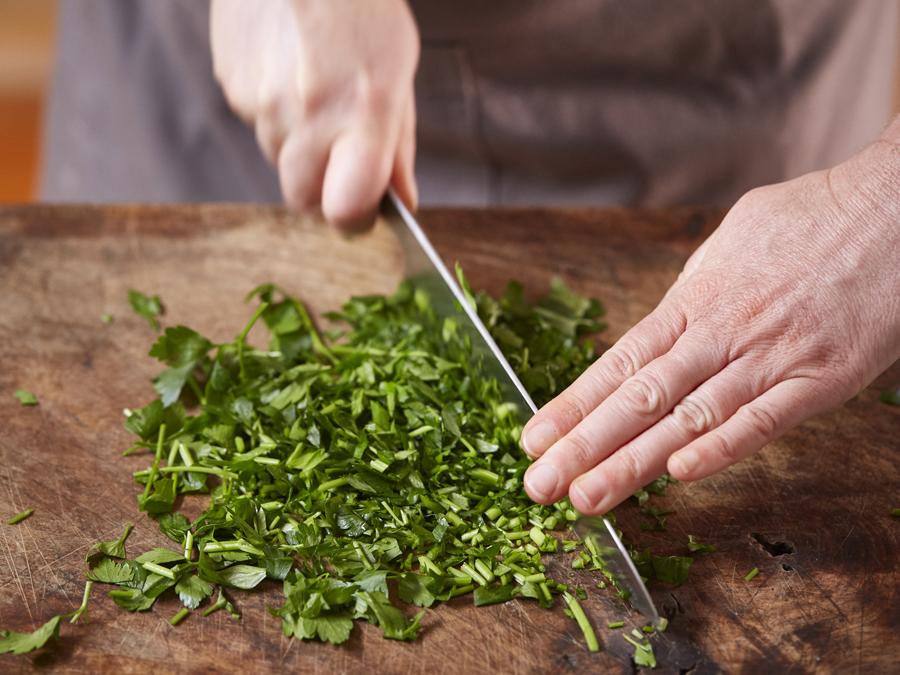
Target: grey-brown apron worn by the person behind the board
pixel 520 102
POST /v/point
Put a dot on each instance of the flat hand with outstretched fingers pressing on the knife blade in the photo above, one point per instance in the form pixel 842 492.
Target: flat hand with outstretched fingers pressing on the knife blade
pixel 791 307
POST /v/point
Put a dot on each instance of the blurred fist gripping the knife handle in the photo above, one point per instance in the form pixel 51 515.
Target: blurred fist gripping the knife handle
pixel 328 85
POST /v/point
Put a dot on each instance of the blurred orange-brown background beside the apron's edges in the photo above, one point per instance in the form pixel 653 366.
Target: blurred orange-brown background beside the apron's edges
pixel 26 58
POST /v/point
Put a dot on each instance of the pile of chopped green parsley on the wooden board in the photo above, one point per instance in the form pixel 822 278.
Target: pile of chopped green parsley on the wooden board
pixel 335 463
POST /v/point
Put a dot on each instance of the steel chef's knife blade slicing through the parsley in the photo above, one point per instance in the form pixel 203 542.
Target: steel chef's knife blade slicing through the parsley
pixel 424 269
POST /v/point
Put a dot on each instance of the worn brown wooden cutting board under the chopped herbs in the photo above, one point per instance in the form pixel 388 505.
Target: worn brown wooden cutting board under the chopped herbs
pixel 812 511
